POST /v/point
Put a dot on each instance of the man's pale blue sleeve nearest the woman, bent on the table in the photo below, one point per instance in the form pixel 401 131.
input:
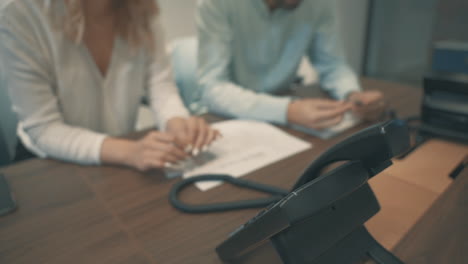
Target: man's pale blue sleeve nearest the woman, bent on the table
pixel 219 92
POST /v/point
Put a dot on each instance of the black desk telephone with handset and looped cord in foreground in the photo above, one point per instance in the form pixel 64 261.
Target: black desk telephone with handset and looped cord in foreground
pixel 321 220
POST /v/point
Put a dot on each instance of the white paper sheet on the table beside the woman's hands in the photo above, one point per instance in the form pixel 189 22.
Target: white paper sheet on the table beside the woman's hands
pixel 245 146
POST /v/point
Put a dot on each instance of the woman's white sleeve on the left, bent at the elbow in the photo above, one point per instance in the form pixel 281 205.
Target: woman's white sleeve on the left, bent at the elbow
pixel 28 79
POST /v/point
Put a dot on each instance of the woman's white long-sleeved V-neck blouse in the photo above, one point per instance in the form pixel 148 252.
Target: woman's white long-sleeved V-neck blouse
pixel 66 107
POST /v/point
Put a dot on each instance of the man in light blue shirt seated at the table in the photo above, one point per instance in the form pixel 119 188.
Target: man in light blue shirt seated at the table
pixel 251 49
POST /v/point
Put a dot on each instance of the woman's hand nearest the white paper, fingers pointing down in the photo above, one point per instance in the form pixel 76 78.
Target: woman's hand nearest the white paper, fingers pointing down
pixel 192 134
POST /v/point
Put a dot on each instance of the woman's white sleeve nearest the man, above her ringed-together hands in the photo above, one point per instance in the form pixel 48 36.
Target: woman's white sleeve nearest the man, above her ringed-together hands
pixel 164 97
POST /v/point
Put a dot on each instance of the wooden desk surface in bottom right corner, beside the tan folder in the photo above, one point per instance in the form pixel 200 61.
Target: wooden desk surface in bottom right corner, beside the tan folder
pixel 441 235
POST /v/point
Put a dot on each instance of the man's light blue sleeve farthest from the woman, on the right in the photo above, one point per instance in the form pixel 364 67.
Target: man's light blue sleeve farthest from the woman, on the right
pixel 327 56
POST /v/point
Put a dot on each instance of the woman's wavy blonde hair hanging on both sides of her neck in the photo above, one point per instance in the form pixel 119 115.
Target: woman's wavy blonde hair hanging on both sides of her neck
pixel 134 20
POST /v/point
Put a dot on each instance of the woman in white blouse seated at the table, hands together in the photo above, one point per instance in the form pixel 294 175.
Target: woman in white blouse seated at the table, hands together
pixel 76 72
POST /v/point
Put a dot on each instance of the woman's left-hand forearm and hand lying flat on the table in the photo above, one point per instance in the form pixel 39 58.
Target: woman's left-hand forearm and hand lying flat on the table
pixel 155 150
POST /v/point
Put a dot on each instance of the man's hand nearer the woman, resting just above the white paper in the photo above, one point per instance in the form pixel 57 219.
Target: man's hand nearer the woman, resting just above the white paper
pixel 317 113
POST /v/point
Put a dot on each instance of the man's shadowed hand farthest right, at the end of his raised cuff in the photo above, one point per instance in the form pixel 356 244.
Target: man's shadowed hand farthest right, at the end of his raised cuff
pixel 367 105
